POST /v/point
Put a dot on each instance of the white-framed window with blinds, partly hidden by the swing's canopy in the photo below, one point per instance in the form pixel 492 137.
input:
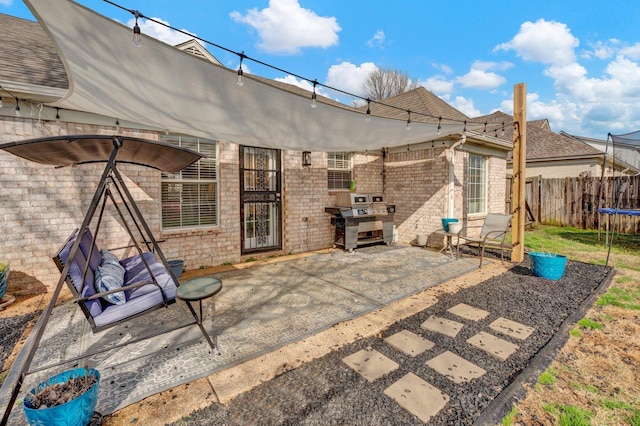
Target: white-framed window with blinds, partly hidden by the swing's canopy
pixel 190 197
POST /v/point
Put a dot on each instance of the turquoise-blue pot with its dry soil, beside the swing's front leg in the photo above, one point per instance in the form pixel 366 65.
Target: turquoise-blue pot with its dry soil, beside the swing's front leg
pixel 68 398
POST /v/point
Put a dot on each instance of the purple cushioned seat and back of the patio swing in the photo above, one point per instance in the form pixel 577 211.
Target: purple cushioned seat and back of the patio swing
pixel 142 293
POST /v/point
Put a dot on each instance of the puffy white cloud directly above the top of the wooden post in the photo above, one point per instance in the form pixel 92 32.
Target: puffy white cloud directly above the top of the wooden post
pixel 548 42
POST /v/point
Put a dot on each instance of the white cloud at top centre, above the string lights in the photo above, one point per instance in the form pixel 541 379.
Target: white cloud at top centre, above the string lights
pixel 285 27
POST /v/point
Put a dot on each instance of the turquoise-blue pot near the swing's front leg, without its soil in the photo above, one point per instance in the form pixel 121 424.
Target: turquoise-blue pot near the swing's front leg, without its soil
pixel 76 412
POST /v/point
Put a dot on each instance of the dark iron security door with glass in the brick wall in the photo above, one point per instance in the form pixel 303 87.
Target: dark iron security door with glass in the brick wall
pixel 260 207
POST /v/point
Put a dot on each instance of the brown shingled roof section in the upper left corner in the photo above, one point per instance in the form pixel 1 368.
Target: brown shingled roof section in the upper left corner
pixel 28 56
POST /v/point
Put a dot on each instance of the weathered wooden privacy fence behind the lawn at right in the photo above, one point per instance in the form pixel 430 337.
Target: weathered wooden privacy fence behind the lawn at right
pixel 574 201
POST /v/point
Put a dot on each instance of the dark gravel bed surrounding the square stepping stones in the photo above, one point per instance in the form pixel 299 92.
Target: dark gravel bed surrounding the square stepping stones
pixel 326 391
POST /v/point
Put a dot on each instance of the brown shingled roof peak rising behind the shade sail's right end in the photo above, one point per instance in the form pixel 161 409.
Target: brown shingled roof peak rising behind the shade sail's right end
pixel 418 100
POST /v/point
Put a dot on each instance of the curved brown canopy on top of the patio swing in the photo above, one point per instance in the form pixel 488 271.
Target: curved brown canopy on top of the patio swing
pixel 81 149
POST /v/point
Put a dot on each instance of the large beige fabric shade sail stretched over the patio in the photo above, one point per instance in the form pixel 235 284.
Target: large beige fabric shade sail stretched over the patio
pixel 160 86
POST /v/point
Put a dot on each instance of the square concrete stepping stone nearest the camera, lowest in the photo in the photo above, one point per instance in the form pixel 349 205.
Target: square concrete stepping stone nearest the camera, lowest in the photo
pixel 417 396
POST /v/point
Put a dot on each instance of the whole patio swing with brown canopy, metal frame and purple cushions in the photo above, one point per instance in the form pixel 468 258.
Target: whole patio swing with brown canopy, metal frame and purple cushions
pixel 149 282
